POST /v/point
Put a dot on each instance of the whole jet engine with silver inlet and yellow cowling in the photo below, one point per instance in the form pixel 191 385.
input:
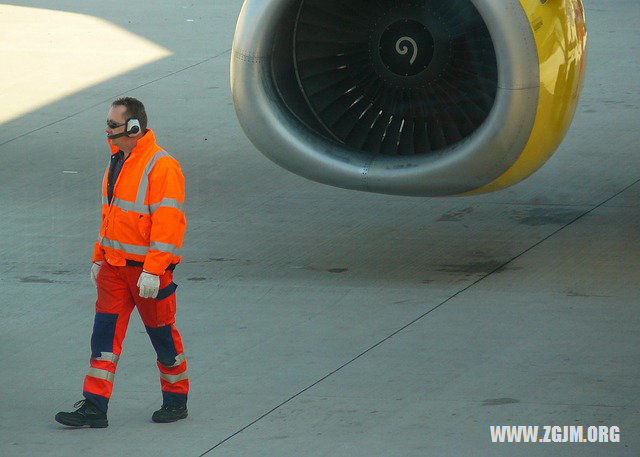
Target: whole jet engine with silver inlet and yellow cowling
pixel 409 97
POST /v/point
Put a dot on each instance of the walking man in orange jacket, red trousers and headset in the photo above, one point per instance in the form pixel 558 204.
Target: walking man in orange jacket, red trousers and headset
pixel 142 229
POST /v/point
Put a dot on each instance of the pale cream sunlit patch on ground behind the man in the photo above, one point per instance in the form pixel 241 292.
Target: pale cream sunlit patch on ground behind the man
pixel 47 55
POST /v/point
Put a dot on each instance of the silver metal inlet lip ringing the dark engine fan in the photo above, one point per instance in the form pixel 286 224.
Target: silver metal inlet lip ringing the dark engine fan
pixel 278 133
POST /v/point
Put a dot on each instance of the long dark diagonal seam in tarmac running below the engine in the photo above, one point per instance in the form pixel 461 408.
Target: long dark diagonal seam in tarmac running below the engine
pixel 421 316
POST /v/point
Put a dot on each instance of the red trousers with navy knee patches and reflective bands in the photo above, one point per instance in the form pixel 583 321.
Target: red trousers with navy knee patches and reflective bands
pixel 118 294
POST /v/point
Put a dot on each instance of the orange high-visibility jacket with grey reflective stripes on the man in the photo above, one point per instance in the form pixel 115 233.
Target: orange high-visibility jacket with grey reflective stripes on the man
pixel 145 221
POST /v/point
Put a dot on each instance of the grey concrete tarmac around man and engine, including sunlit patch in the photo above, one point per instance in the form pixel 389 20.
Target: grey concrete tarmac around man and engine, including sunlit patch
pixel 317 321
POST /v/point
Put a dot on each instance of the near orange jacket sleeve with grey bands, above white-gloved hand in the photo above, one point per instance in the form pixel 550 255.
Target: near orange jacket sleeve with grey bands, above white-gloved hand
pixel 168 222
